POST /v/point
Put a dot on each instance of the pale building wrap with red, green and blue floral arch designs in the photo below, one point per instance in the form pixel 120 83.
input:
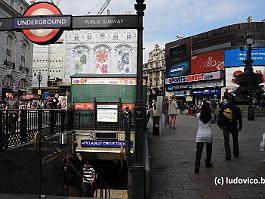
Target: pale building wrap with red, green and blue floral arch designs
pixel 100 52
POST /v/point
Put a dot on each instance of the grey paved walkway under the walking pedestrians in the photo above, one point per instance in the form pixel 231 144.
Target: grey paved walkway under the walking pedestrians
pixel 172 163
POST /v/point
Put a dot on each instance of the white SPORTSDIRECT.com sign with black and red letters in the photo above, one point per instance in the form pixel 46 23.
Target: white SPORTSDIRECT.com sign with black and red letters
pixel 195 77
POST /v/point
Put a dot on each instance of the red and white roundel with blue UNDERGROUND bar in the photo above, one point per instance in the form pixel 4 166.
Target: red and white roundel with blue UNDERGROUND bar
pixel 46 16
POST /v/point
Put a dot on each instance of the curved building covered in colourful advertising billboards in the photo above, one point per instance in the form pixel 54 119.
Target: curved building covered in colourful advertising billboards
pixel 205 65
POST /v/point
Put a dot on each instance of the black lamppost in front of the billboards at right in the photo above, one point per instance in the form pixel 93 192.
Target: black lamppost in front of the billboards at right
pixel 249 70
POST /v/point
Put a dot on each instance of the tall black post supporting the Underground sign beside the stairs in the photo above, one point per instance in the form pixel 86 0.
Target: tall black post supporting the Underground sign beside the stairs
pixel 138 190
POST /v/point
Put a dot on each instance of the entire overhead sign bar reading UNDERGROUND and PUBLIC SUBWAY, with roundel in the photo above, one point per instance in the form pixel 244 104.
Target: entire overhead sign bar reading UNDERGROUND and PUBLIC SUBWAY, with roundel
pixel 43 23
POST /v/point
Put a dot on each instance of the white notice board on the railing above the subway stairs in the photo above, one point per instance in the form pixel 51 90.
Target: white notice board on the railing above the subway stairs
pixel 107 113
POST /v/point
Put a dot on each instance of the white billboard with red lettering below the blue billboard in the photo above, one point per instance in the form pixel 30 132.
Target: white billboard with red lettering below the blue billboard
pixel 231 73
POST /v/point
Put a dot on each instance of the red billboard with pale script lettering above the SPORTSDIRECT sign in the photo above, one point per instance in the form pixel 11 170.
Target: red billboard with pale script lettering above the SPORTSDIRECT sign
pixel 207 62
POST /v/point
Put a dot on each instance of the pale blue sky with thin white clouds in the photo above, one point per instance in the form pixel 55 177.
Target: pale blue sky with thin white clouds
pixel 164 19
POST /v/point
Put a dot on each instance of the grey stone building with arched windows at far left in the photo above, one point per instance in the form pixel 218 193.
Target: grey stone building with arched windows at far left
pixel 15 52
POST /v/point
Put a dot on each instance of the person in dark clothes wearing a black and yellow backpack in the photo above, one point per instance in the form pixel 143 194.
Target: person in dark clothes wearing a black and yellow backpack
pixel 230 121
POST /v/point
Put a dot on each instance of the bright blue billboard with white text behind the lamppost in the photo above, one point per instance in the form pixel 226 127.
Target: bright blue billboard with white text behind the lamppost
pixel 235 57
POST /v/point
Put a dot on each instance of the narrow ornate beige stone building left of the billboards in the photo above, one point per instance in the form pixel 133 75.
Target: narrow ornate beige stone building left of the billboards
pixel 154 70
